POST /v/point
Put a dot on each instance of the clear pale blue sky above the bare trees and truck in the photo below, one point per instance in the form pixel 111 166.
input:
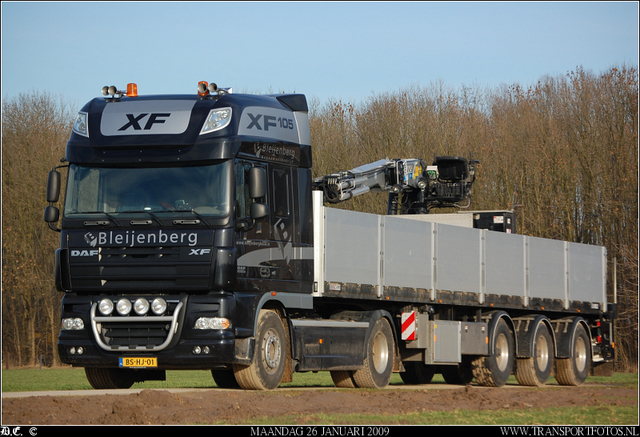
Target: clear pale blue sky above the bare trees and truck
pixel 328 51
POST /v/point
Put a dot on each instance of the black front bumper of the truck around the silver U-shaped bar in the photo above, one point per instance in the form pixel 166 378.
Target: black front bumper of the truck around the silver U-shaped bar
pixel 104 341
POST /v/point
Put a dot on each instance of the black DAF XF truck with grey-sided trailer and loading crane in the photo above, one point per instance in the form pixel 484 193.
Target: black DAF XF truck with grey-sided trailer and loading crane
pixel 194 236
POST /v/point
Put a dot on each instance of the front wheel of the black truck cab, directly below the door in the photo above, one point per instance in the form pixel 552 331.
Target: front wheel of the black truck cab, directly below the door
pixel 268 364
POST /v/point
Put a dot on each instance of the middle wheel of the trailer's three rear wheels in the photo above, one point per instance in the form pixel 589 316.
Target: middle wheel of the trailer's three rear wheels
pixel 535 371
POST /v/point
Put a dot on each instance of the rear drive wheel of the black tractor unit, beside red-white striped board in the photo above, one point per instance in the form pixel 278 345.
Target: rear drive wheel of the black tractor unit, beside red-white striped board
pixel 378 364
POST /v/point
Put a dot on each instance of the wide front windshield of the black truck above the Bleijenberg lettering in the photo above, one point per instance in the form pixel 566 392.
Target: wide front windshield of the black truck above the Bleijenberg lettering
pixel 204 190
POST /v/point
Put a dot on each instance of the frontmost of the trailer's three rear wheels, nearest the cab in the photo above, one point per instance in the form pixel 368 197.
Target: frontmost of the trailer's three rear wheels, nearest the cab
pixel 494 370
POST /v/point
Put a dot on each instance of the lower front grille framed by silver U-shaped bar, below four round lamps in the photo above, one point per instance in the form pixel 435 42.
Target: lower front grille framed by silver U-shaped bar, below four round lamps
pixel 135 333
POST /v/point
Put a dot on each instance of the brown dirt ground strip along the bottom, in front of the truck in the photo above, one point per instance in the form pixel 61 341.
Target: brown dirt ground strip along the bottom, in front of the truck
pixel 216 406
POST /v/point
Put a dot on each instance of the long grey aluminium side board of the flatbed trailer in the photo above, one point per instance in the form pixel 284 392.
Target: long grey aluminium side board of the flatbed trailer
pixel 370 256
